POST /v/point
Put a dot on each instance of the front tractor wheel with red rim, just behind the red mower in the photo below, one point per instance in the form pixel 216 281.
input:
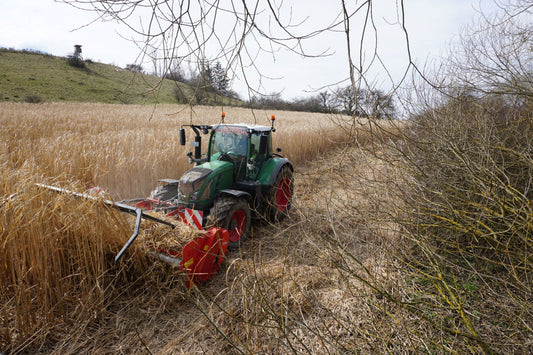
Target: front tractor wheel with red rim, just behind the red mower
pixel 234 215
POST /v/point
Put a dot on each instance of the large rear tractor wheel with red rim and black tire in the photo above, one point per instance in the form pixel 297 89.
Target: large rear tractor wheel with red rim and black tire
pixel 280 199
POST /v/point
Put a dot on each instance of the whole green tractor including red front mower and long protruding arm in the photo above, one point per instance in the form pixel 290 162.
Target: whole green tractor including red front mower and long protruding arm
pixel 239 178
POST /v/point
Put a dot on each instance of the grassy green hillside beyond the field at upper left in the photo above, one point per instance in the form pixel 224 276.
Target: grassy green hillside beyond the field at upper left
pixel 30 76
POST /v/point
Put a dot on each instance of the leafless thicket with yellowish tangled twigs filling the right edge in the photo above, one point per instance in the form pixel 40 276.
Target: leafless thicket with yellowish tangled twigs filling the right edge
pixel 468 190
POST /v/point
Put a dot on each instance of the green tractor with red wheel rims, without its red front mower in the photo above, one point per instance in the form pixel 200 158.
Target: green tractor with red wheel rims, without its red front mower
pixel 239 178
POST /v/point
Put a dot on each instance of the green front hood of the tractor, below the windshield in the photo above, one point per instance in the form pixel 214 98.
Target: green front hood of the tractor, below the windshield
pixel 197 184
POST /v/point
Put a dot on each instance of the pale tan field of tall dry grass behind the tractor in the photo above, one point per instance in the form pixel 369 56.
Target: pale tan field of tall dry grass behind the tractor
pixel 126 149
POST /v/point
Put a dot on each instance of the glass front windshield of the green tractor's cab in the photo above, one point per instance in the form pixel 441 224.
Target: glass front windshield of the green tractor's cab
pixel 230 140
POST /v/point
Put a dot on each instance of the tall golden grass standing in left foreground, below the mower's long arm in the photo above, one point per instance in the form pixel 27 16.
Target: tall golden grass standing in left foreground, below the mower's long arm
pixel 56 257
